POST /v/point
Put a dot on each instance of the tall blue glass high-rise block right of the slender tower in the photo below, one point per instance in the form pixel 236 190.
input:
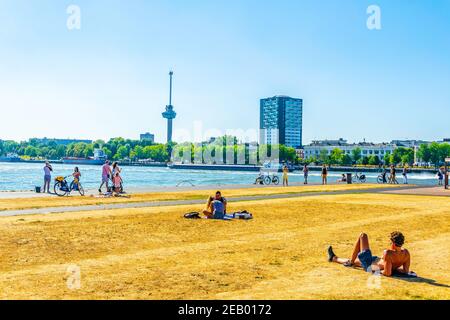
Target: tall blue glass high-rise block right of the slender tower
pixel 281 121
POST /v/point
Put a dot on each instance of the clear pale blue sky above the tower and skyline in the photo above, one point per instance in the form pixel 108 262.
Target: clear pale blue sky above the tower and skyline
pixel 110 77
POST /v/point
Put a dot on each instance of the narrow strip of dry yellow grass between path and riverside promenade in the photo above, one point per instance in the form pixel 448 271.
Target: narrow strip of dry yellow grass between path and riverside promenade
pixel 42 202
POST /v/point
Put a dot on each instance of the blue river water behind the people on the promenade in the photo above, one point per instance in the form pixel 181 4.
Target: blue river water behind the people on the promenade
pixel 25 176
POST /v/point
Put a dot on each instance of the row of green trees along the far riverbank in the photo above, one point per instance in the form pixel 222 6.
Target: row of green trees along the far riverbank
pixel 121 149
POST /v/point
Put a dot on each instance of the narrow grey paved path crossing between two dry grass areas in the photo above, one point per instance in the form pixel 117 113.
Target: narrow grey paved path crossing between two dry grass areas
pixel 401 190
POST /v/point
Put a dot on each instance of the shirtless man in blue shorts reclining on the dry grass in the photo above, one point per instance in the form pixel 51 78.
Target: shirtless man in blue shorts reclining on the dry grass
pixel 395 260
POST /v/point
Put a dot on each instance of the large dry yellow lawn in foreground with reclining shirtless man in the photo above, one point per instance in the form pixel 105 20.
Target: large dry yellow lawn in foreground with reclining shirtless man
pixel 153 253
